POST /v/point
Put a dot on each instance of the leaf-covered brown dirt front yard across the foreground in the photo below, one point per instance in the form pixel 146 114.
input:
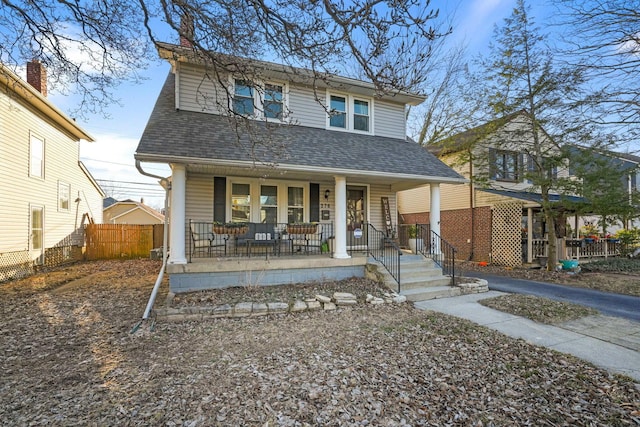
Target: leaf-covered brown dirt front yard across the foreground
pixel 69 358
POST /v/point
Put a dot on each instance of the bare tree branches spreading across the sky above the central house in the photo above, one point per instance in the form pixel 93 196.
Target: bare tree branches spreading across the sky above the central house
pixel 90 47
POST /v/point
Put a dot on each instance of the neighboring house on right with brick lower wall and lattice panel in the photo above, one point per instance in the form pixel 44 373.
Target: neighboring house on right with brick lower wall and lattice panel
pixel 500 220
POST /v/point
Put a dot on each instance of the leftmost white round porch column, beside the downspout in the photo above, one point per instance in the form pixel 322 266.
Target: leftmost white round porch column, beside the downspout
pixel 177 215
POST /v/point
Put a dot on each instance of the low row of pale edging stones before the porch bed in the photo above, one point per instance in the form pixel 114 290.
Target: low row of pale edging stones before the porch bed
pixel 254 309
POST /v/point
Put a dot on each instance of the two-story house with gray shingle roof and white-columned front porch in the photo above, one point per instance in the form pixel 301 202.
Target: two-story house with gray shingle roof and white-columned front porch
pixel 291 162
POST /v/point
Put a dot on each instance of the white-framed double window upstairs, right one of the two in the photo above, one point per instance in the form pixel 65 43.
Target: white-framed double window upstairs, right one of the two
pixel 350 113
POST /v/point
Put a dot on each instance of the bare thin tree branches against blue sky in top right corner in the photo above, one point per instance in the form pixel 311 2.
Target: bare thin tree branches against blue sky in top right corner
pixel 603 39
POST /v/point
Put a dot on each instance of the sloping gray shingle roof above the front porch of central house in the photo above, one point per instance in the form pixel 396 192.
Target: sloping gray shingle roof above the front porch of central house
pixel 174 134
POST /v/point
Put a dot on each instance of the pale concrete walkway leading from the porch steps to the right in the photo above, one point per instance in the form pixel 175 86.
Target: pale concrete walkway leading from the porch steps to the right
pixel 608 342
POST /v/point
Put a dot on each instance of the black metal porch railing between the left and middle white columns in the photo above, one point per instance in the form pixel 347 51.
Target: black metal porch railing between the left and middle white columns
pixel 208 239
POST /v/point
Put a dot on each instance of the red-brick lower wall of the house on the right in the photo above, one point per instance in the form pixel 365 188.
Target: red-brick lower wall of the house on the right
pixel 457 227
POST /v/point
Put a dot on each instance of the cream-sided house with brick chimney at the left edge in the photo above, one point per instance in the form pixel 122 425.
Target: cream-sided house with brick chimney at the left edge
pixel 47 193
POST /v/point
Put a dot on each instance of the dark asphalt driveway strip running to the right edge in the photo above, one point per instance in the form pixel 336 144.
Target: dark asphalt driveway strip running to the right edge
pixel 624 306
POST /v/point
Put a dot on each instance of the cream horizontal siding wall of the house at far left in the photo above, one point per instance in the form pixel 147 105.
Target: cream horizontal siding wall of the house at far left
pixel 19 191
